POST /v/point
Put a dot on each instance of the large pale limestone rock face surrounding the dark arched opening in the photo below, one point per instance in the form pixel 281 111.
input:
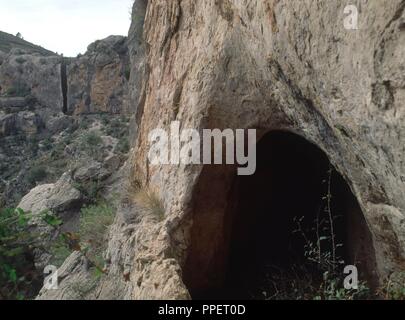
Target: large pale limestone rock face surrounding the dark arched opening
pixel 274 65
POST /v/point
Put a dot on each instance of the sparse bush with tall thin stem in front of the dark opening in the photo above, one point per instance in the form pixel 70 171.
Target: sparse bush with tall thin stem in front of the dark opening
pixel 318 274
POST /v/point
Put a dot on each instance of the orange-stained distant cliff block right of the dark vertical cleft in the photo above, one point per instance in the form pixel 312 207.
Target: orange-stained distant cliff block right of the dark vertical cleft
pixel 97 81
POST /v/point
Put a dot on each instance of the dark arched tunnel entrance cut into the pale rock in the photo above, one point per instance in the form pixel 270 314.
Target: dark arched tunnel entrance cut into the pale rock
pixel 276 233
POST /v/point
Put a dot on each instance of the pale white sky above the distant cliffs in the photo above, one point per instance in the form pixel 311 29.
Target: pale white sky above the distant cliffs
pixel 65 26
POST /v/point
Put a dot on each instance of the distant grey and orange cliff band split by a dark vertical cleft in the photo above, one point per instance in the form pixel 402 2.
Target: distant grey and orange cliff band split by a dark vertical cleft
pixel 95 82
